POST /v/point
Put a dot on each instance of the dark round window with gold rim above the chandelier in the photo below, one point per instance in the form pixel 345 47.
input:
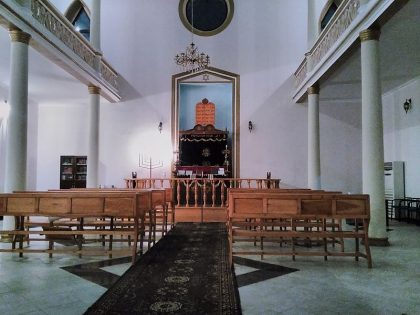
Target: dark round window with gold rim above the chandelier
pixel 208 17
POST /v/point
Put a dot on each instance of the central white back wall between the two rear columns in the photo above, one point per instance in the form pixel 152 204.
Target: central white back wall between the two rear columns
pixel 263 44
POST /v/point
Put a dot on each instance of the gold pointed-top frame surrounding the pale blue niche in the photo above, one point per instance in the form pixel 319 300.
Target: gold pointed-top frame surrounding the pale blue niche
pixel 215 75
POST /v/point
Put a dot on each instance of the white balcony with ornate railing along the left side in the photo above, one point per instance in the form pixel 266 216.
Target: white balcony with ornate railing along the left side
pixel 55 37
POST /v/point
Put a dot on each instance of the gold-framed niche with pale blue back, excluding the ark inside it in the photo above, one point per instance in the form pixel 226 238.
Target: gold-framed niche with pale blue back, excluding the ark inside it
pixel 218 86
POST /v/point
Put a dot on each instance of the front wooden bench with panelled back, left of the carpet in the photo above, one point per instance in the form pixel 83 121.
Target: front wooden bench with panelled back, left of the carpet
pixel 76 205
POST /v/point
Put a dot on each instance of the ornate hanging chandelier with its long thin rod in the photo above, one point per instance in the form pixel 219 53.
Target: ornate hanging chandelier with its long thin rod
pixel 192 60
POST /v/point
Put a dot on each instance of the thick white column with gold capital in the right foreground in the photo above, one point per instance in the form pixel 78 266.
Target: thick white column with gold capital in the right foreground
pixel 372 135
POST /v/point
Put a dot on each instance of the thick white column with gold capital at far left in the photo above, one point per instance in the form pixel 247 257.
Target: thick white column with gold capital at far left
pixel 17 123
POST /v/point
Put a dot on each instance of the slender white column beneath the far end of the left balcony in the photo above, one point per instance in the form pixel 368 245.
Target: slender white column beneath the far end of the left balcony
pixel 93 140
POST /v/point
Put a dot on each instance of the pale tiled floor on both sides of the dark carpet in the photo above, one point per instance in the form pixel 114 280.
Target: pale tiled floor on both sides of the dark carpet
pixel 36 284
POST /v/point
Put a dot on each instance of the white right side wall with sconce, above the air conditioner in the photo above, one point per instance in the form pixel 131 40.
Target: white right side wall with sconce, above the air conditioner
pixel 401 132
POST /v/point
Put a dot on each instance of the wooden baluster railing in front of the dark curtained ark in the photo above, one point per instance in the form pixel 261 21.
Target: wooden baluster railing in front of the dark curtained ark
pixel 201 192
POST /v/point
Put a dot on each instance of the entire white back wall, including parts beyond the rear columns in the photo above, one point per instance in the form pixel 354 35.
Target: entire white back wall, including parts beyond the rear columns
pixel 263 44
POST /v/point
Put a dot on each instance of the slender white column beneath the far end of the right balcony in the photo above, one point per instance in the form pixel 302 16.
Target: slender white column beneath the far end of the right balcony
pixel 314 160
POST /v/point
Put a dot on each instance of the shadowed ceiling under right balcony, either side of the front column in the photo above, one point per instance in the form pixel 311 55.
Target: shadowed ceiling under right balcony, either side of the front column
pixel 399 47
